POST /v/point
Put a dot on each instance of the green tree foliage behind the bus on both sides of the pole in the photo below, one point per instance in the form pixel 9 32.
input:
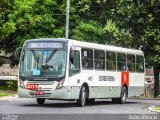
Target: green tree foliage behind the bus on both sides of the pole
pixel 126 23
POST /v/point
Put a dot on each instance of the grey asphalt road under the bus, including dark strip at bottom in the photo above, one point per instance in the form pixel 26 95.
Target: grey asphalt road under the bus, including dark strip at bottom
pixel 101 109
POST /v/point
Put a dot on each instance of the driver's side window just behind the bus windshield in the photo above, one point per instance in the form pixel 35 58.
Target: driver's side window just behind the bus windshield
pixel 74 62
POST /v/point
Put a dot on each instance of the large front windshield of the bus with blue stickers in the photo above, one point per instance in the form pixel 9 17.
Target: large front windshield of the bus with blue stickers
pixel 43 63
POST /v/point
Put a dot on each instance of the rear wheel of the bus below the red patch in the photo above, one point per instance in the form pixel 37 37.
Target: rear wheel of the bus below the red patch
pixel 123 96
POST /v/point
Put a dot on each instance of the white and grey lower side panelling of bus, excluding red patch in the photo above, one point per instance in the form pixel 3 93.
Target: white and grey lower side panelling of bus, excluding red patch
pixel 105 88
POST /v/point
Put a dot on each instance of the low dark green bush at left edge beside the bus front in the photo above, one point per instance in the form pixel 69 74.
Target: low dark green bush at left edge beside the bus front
pixel 8 85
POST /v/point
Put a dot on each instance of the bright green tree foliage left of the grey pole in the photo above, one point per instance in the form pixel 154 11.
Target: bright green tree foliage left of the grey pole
pixel 33 19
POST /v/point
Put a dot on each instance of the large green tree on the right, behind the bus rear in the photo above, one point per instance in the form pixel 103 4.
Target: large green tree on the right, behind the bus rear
pixel 130 23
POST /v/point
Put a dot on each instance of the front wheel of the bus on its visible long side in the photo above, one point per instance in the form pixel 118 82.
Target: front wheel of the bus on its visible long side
pixel 82 97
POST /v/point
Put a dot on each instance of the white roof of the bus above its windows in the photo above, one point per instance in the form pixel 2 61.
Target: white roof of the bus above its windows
pixel 91 45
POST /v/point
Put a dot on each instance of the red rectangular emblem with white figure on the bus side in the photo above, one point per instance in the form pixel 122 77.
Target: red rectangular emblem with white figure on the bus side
pixel 125 78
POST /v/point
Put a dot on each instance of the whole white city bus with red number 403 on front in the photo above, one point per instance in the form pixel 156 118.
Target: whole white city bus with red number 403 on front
pixel 65 69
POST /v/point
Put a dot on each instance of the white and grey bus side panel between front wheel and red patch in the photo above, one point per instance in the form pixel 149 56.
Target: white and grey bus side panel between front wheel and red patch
pixel 104 84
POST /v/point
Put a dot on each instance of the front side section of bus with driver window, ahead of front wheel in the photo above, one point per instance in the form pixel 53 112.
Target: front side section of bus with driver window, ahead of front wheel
pixel 74 73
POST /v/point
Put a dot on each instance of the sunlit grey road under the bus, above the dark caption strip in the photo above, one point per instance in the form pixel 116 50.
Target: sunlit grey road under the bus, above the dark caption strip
pixel 29 106
